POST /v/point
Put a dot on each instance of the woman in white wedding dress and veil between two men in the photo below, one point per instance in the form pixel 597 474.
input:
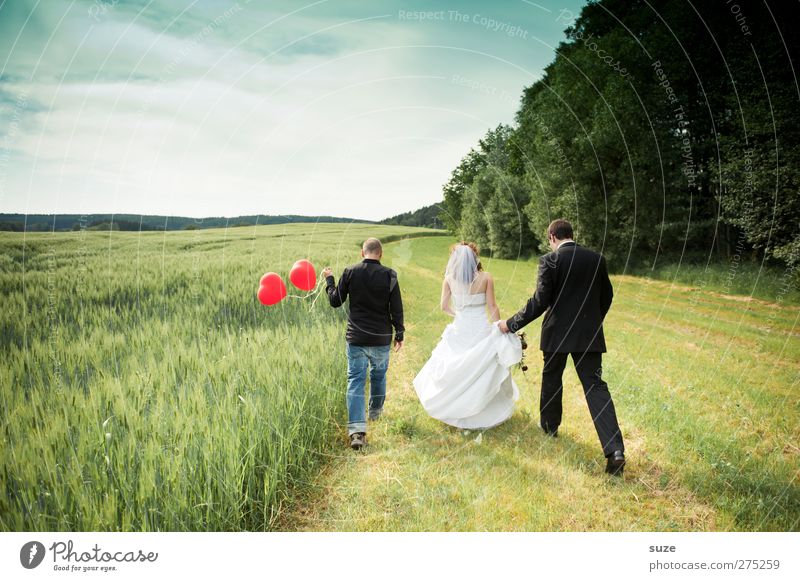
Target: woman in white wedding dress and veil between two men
pixel 467 381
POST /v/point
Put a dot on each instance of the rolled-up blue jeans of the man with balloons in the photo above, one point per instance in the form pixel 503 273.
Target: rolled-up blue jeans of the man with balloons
pixel 359 358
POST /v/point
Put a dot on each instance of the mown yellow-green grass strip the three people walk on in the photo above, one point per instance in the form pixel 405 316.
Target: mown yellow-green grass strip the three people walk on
pixel 706 391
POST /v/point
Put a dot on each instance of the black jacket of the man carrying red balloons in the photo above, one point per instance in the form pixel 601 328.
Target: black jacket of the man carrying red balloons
pixel 375 302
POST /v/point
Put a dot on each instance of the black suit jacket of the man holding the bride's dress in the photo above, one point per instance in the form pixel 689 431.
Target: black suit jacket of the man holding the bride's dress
pixel 574 293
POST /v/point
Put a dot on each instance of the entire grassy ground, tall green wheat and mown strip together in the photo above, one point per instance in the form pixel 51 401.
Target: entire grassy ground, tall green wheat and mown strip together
pixel 145 388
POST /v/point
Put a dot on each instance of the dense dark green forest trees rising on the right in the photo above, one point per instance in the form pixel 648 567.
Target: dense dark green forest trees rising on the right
pixel 661 129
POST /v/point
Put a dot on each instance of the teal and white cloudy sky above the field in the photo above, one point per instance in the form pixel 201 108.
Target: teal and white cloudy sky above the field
pixel 221 108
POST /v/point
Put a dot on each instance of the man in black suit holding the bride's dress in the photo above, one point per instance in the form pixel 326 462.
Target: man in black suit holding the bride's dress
pixel 574 293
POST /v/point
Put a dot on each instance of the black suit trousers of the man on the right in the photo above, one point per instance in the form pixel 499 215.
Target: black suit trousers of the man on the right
pixel 589 366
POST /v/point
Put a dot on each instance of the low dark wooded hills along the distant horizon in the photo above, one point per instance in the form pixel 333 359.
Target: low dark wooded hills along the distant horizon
pixel 424 217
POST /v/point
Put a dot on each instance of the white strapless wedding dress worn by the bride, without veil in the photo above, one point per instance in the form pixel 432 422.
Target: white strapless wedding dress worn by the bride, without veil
pixel 467 381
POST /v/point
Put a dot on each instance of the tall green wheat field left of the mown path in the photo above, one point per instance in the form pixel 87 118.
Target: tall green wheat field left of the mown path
pixel 145 388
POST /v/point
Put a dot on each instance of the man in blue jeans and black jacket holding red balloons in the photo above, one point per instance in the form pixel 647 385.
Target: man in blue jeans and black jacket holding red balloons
pixel 375 308
